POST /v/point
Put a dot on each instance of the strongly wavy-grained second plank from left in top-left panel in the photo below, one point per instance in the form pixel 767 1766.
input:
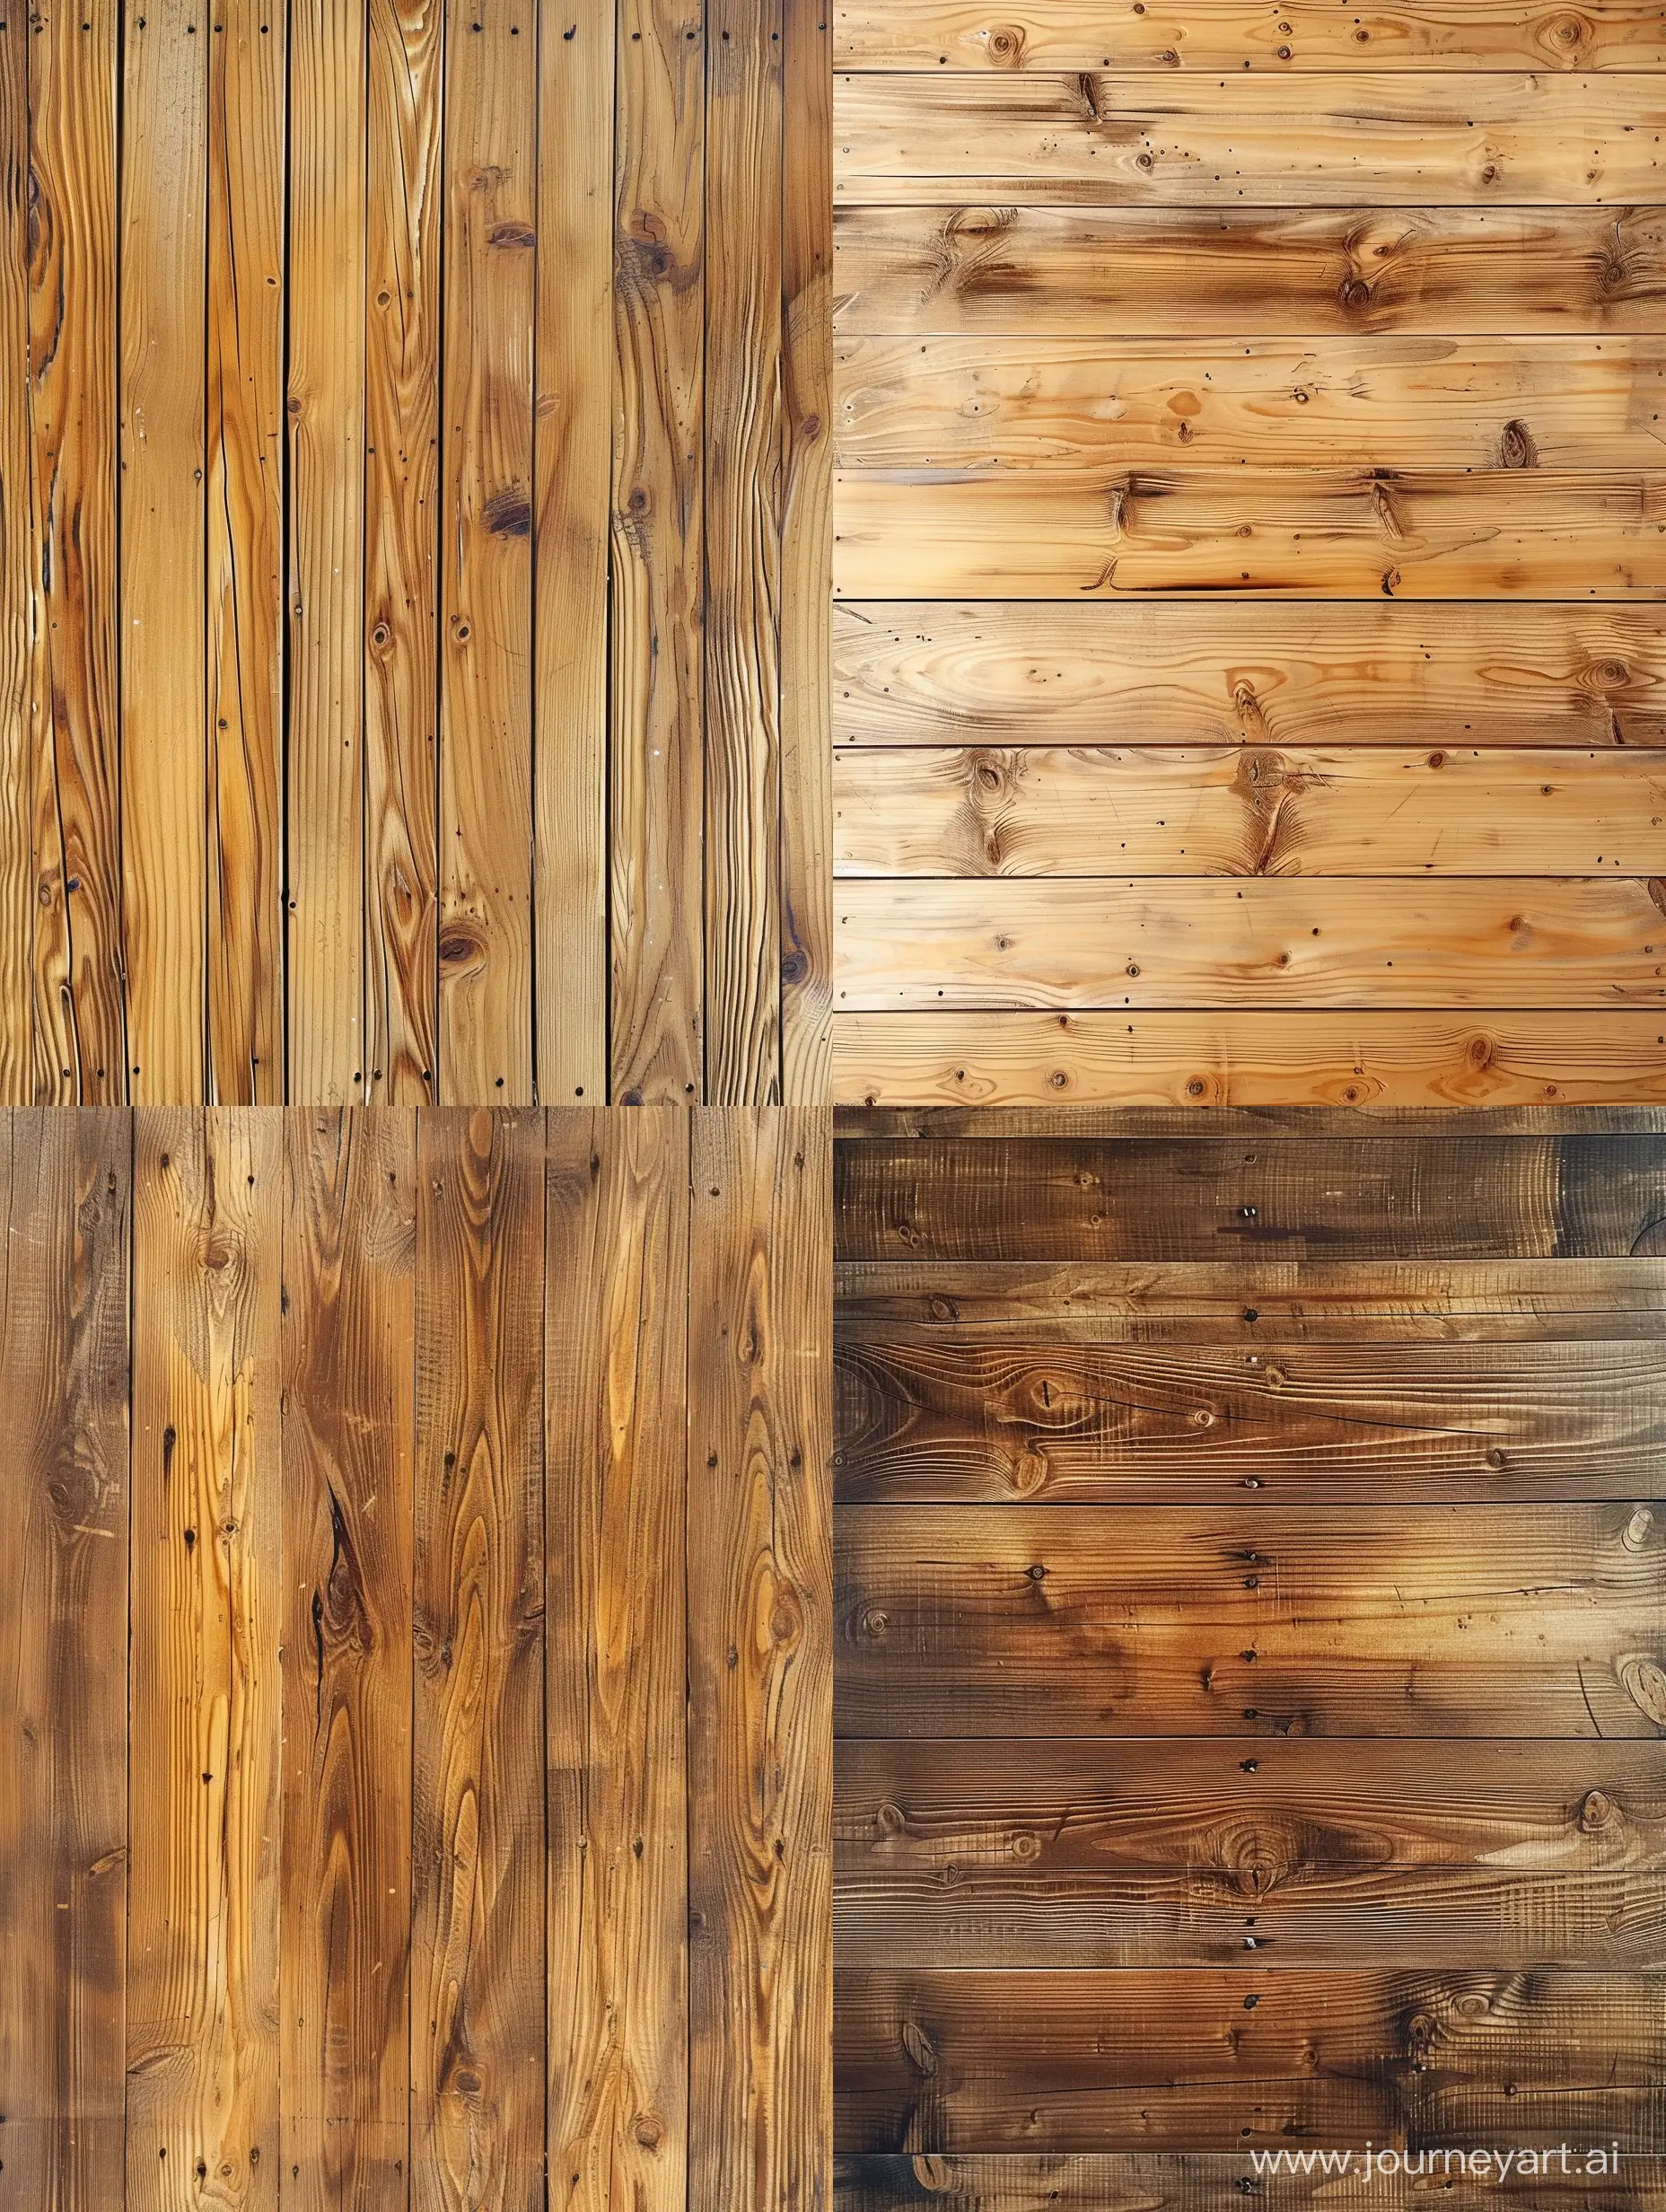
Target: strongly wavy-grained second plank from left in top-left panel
pixel 81 1045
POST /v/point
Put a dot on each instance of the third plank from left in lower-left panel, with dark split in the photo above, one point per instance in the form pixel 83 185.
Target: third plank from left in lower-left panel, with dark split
pixel 348 1319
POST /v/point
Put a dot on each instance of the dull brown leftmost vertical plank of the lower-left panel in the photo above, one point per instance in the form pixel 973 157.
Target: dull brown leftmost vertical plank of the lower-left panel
pixel 63 1609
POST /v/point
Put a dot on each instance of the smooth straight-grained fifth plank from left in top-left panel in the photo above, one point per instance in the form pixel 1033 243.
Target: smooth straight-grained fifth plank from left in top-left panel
pixel 326 952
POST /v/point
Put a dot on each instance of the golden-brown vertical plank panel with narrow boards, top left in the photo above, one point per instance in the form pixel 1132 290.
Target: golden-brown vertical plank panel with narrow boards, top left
pixel 415 455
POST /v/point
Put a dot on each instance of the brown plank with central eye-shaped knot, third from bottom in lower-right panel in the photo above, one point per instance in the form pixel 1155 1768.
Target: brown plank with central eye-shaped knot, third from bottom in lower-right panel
pixel 1187 1855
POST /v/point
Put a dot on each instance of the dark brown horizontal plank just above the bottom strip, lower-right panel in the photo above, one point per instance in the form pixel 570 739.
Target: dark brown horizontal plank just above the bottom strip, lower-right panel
pixel 1216 2060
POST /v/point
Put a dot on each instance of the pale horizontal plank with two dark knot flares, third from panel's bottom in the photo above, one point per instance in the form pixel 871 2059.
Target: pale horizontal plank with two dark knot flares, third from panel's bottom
pixel 1247 811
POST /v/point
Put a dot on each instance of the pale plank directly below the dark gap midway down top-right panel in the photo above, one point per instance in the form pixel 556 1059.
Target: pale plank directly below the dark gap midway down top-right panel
pixel 1165 674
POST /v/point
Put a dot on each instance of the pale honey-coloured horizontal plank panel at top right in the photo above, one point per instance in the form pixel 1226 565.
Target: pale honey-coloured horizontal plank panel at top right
pixel 1178 355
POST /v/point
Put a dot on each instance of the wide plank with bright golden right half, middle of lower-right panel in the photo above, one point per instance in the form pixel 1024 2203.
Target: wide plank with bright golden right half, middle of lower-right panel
pixel 1251 1620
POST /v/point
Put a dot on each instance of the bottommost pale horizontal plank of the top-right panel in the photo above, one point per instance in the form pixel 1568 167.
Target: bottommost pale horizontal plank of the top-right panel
pixel 1225 1061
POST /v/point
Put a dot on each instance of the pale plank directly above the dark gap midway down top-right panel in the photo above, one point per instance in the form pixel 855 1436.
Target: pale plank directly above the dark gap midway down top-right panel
pixel 1517 534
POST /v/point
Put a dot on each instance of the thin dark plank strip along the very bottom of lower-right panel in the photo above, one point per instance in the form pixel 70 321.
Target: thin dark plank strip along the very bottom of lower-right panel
pixel 1207 2182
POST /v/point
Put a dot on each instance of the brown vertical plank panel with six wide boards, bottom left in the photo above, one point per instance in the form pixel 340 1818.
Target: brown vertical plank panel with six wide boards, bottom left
pixel 415 1780
